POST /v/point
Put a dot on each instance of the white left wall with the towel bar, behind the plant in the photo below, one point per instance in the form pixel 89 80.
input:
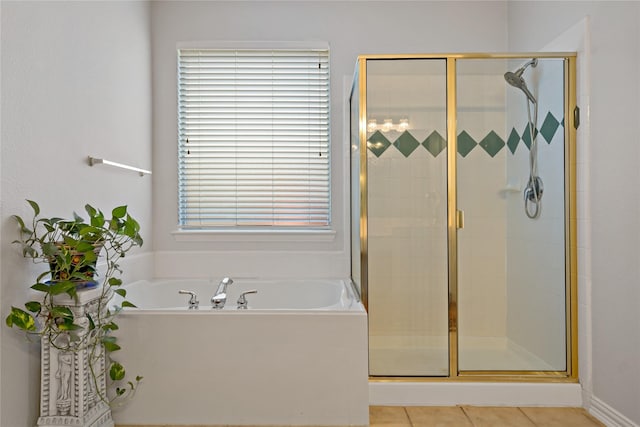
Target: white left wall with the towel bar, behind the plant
pixel 76 82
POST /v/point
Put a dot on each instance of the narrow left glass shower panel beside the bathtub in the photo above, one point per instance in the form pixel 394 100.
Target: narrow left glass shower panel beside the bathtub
pixel 407 217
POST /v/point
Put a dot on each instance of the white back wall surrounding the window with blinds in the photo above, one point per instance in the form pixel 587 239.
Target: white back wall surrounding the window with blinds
pixel 351 28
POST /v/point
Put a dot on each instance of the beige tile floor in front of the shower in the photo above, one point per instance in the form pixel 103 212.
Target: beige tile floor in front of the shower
pixel 476 416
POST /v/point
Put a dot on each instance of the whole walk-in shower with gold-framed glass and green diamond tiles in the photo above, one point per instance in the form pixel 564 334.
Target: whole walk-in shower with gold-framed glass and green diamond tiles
pixel 458 281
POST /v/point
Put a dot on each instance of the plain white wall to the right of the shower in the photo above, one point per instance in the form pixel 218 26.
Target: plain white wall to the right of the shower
pixel 612 214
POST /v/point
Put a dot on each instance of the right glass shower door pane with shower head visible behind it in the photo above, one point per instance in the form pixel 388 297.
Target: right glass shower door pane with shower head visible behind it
pixel 511 252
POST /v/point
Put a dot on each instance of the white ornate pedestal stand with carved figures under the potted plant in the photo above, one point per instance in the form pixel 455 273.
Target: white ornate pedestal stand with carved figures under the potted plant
pixel 69 393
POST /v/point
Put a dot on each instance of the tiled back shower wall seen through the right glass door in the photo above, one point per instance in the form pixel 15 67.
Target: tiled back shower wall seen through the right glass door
pixel 482 155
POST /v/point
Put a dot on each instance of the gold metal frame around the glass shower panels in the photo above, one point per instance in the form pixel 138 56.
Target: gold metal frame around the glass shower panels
pixel 571 115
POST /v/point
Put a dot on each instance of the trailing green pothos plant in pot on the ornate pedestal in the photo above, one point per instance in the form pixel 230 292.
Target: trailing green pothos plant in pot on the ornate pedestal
pixel 70 249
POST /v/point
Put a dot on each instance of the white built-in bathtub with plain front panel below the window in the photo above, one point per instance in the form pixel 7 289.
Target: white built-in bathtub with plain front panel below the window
pixel 296 356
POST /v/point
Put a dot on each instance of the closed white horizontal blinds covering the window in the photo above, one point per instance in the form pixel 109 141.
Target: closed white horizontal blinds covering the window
pixel 253 138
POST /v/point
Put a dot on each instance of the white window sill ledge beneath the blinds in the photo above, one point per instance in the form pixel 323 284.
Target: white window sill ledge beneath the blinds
pixel 247 235
